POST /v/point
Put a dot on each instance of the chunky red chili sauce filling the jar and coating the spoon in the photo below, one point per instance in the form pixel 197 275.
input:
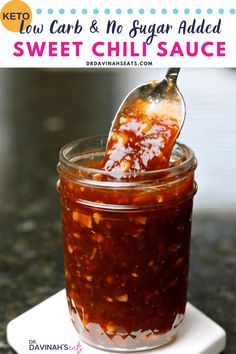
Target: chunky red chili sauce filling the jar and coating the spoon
pixel 126 270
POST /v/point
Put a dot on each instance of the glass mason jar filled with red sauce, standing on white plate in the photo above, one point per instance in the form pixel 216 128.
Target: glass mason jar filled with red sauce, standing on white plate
pixel 126 247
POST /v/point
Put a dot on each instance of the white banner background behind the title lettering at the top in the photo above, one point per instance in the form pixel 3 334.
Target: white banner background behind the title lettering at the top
pixel 228 30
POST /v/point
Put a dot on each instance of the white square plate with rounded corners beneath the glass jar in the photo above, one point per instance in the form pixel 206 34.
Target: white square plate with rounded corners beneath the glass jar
pixel 49 324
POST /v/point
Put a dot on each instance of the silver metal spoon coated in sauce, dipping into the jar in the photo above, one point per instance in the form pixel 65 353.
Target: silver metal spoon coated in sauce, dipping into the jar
pixel 143 109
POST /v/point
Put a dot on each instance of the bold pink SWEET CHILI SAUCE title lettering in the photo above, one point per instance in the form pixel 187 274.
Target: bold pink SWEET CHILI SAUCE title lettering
pixel 121 49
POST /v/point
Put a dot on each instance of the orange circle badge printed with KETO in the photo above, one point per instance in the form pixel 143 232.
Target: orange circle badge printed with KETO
pixel 16 15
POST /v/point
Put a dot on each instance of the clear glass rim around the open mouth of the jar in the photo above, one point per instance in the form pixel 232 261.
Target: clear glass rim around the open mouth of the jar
pixel 189 163
